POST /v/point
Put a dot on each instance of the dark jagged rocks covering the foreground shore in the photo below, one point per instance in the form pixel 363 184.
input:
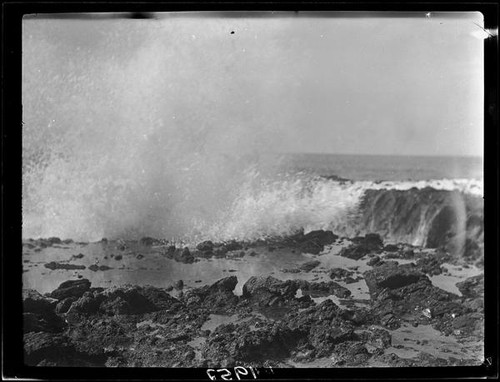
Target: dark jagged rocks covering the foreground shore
pixel 273 322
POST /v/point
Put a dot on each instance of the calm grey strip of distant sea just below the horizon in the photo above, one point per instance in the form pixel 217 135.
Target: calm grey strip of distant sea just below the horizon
pixel 386 168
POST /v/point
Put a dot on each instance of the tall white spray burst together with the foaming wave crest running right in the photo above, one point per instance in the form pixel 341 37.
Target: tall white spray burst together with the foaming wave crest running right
pixel 123 138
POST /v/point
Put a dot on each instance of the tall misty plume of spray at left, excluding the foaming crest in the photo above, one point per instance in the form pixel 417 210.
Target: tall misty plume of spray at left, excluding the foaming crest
pixel 122 137
